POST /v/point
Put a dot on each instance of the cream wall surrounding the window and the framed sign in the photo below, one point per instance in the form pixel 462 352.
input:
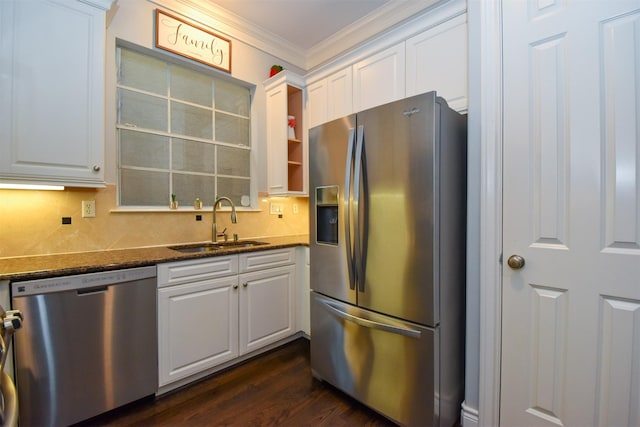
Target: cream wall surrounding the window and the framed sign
pixel 133 21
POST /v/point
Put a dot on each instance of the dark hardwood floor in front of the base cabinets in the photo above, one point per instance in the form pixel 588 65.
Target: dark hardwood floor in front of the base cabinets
pixel 273 389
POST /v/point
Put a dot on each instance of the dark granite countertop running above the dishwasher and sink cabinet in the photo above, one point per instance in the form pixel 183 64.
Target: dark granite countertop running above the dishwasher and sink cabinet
pixel 43 266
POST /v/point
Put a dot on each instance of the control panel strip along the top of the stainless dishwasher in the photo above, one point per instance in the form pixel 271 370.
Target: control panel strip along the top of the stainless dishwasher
pixel 81 281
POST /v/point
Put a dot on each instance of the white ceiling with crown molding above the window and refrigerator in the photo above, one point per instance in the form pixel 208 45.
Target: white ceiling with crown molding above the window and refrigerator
pixel 310 32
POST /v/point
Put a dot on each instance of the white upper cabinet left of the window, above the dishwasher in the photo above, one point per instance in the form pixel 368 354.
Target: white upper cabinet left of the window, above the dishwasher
pixel 52 58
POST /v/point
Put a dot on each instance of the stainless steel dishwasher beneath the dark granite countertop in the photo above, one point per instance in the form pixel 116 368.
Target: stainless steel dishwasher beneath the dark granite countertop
pixel 89 344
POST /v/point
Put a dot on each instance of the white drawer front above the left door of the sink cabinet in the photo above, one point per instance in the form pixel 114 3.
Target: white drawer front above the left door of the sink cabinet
pixel 174 273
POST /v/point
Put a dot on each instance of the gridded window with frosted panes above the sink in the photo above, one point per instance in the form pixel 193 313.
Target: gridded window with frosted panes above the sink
pixel 181 132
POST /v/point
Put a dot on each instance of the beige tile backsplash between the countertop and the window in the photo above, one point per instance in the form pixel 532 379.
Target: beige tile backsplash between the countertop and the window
pixel 31 222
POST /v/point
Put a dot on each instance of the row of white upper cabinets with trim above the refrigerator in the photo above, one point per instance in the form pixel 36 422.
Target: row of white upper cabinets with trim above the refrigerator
pixel 426 54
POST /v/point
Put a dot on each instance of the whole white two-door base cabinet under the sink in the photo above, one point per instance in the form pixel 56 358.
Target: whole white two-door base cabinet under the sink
pixel 214 310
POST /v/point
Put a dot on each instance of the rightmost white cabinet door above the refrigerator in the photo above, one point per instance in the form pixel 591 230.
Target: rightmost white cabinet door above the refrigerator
pixel 437 60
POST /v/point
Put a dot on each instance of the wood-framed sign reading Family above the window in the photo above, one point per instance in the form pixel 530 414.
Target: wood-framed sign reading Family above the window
pixel 182 38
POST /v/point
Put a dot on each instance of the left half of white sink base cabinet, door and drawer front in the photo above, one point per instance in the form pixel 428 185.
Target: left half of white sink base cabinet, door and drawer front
pixel 197 316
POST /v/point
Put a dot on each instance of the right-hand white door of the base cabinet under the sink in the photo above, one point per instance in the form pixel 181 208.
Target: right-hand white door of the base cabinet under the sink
pixel 267 307
